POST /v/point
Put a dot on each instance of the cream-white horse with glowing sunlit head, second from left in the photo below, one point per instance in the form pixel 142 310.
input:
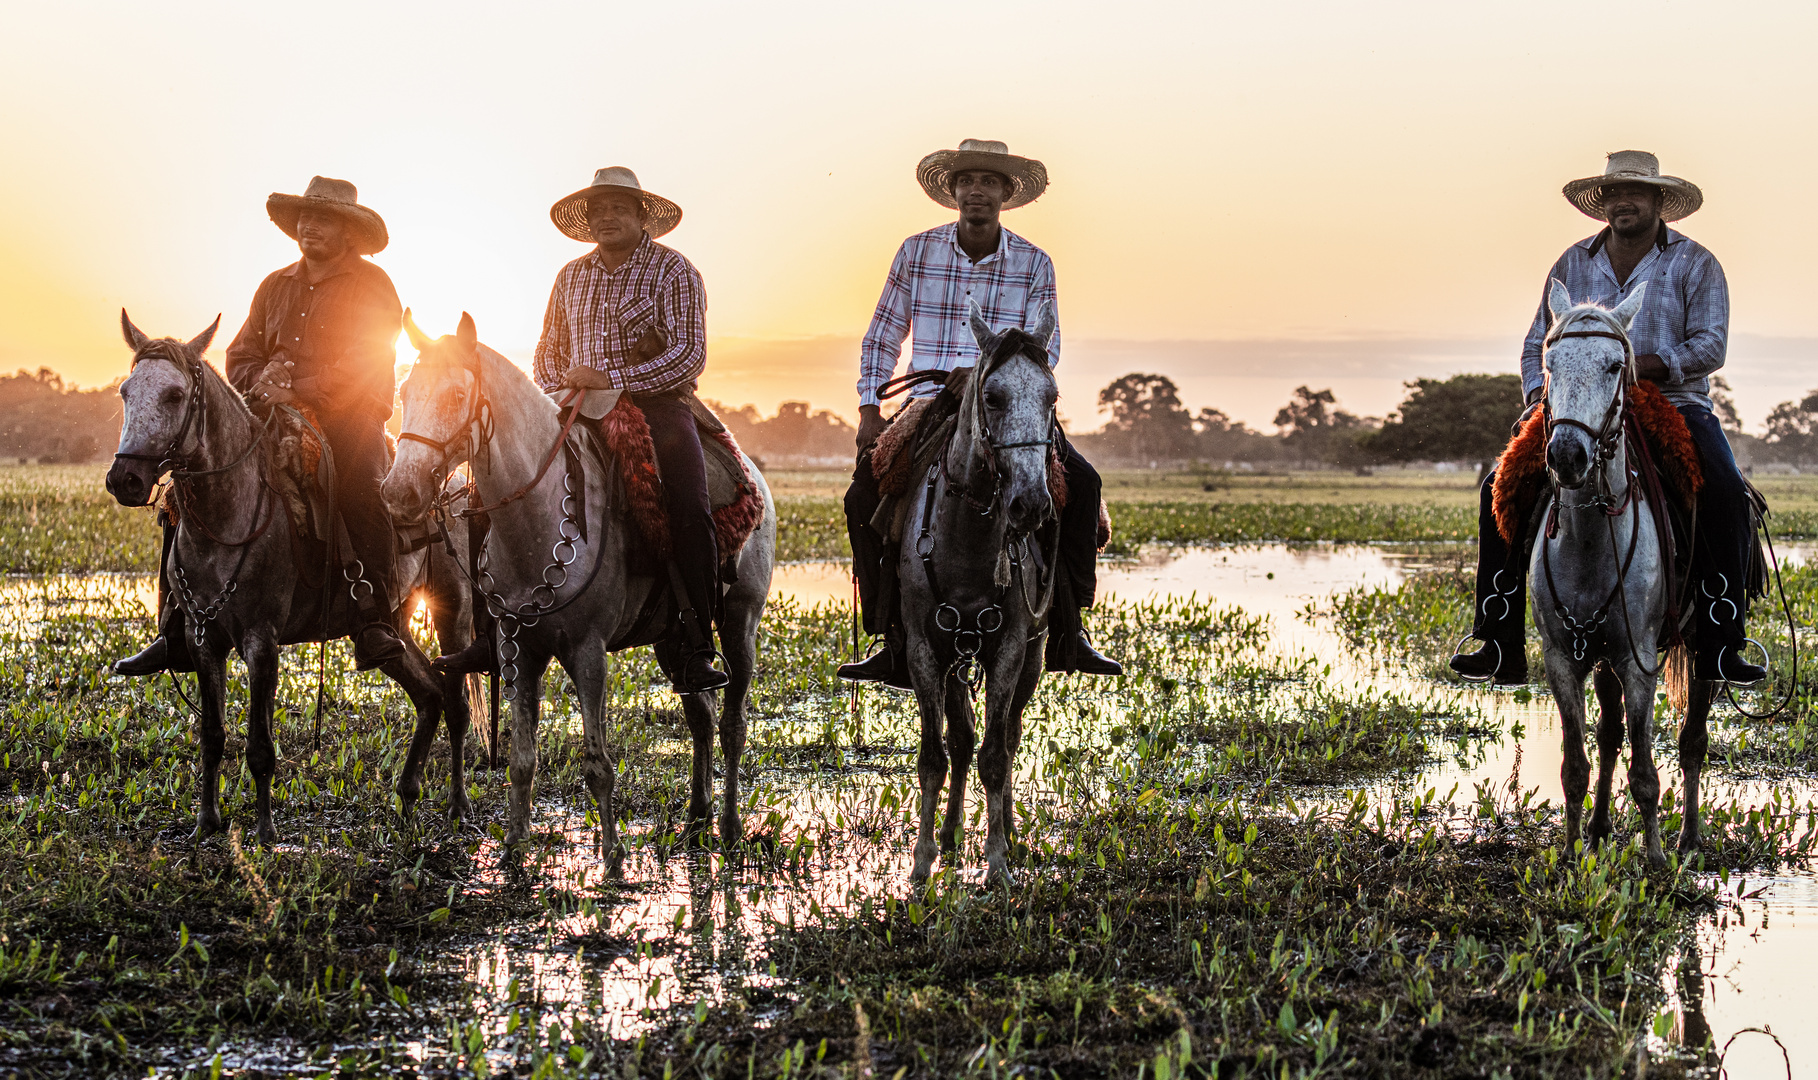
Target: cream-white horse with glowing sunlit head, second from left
pixel 464 403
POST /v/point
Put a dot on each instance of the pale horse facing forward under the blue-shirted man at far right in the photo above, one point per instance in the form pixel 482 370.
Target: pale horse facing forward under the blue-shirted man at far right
pixel 1603 583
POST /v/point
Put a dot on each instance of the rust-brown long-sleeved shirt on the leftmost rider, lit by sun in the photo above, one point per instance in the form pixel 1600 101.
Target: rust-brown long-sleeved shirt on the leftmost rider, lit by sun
pixel 341 334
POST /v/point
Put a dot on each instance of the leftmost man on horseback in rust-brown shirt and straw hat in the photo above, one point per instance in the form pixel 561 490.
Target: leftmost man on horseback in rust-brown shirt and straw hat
pixel 321 335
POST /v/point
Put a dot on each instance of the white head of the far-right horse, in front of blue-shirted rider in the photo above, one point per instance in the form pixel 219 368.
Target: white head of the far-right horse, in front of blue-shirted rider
pixel 1590 363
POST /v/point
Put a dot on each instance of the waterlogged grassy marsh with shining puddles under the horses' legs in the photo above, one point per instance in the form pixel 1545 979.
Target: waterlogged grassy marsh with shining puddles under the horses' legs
pixel 1257 850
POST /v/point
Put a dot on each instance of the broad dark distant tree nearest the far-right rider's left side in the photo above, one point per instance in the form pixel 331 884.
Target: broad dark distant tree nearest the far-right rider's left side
pixel 1464 417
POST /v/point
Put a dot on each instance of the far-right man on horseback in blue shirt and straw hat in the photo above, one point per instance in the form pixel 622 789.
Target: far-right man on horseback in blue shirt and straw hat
pixel 1679 339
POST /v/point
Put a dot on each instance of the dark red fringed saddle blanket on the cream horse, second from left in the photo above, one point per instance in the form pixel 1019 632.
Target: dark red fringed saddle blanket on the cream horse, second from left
pixel 737 505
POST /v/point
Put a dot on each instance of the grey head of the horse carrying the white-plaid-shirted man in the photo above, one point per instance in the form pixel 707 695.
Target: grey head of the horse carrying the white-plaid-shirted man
pixel 1010 417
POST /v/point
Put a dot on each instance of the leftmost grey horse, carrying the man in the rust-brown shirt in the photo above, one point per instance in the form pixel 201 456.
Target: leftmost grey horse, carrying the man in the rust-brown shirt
pixel 237 575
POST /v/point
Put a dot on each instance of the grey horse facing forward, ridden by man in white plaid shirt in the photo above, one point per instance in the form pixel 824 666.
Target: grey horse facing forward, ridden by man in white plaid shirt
pixel 975 519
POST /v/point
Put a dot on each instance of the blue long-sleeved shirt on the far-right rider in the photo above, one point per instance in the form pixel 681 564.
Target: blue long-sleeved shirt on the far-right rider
pixel 1684 319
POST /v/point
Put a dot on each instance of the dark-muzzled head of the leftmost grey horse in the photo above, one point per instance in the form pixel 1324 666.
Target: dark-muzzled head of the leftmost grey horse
pixel 165 406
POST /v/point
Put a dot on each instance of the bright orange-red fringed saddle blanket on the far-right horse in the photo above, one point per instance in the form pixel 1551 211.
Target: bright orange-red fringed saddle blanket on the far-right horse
pixel 1523 468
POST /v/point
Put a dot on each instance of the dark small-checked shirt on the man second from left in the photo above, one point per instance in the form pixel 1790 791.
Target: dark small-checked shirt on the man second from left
pixel 599 317
